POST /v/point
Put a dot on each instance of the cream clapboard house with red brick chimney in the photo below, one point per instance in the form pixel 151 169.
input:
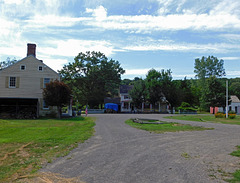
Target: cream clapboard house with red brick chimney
pixel 21 86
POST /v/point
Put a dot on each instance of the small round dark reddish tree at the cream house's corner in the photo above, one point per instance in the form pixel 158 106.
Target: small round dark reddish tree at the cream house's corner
pixel 57 94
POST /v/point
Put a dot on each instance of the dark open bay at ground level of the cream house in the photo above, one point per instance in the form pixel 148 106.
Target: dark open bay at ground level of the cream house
pixel 19 108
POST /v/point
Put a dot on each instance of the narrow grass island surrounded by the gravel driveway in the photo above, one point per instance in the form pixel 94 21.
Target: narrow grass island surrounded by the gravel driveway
pixel 166 127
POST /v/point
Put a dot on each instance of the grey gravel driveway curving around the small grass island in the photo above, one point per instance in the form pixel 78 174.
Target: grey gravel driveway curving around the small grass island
pixel 120 153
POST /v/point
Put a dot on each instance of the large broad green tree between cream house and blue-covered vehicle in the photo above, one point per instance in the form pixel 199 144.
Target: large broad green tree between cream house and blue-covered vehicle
pixel 92 76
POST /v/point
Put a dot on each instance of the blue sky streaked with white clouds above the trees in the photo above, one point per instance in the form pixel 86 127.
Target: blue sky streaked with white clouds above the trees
pixel 140 34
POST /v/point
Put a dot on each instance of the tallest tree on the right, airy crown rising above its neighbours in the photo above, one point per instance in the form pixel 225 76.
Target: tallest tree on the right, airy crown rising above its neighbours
pixel 204 68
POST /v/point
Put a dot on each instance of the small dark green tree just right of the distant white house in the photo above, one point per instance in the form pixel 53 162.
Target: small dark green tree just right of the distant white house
pixel 138 93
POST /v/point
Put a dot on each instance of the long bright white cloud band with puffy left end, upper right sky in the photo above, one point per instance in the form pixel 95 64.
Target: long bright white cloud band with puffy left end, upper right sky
pixel 142 23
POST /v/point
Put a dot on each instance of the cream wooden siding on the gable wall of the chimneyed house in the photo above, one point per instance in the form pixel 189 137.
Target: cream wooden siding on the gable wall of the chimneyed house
pixel 28 81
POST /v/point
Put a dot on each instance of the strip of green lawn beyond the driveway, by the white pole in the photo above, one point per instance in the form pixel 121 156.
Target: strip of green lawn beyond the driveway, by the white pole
pixel 206 118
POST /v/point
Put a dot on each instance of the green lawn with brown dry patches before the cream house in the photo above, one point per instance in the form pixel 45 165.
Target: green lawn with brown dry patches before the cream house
pixel 25 145
